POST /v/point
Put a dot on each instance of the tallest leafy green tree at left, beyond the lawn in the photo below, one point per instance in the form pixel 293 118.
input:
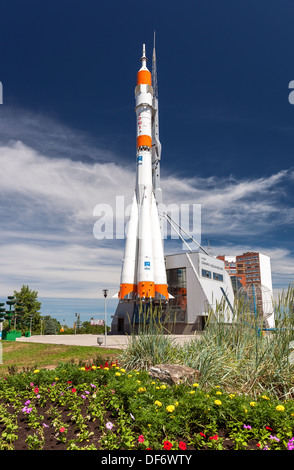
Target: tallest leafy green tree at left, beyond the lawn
pixel 31 305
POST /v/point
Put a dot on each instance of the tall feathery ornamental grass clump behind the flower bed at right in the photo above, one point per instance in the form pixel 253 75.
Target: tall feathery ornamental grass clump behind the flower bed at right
pixel 233 355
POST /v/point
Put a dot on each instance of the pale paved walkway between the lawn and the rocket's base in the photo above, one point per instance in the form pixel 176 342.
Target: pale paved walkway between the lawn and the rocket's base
pixel 112 341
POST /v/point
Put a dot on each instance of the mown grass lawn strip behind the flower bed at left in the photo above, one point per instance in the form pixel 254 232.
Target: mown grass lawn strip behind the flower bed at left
pixel 21 356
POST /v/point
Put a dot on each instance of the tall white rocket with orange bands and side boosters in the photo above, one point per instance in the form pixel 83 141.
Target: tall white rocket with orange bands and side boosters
pixel 143 274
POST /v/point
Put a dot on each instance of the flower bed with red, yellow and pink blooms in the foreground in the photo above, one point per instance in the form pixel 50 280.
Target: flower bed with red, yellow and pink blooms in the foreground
pixel 109 408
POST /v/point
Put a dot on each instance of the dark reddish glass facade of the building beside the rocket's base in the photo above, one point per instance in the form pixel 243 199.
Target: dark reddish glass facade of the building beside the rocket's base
pixel 177 287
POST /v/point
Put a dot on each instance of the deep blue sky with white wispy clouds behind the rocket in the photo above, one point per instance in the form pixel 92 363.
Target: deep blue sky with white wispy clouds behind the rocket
pixel 67 134
